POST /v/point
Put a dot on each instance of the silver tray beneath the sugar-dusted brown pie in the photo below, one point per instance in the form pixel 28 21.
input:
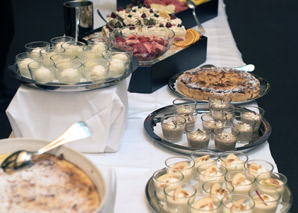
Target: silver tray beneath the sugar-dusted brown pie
pixel 264 89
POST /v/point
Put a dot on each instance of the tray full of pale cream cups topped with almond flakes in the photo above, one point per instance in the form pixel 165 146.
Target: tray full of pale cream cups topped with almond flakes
pixel 207 182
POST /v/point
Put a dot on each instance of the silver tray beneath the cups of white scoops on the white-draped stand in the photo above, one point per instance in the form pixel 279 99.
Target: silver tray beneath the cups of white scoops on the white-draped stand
pixel 60 87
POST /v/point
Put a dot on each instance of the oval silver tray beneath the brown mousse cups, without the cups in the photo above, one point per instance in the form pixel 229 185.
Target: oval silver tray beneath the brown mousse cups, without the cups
pixel 153 129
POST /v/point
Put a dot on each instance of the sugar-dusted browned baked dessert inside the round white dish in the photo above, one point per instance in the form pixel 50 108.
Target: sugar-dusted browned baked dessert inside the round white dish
pixel 50 184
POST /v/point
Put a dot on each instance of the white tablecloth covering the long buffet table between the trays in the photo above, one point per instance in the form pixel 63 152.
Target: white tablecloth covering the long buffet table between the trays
pixel 128 170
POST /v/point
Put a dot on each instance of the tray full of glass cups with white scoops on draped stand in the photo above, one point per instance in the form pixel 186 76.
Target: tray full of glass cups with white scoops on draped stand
pixel 63 65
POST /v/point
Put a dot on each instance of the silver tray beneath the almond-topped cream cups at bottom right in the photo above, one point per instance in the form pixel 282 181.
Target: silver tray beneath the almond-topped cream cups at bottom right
pixel 160 207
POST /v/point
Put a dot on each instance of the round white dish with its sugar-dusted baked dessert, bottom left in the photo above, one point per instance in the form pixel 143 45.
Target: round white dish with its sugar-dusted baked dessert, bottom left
pixel 62 180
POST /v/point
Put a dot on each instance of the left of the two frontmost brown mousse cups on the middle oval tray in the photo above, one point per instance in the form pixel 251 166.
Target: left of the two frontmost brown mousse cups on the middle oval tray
pixel 197 137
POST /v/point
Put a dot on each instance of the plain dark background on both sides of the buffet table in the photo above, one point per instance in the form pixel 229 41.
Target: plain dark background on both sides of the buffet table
pixel 265 32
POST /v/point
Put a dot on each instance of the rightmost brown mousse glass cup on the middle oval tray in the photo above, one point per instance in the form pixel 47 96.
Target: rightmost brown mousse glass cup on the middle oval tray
pixel 252 113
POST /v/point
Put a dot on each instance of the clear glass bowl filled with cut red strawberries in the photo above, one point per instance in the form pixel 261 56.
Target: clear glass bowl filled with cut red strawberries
pixel 148 42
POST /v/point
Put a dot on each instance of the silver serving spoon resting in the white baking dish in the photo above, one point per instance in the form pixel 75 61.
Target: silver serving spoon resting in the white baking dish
pixel 22 158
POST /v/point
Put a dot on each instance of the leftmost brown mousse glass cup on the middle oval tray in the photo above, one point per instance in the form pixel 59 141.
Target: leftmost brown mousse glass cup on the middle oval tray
pixel 173 127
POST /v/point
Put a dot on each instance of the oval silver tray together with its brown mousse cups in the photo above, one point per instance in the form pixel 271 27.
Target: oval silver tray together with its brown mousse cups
pixel 187 125
